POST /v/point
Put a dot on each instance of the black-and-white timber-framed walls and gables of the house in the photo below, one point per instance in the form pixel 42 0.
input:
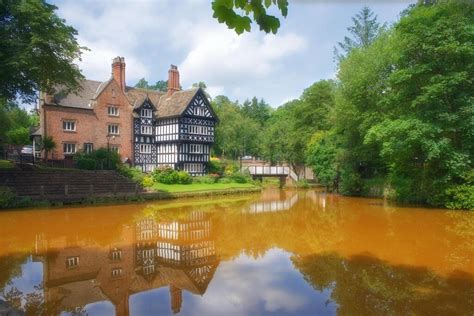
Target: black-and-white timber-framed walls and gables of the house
pixel 182 141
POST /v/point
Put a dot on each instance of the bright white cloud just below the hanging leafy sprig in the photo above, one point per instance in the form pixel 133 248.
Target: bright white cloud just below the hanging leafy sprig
pixel 220 57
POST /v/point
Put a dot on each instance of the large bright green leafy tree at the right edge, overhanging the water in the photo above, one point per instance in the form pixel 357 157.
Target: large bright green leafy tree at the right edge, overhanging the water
pixel 426 136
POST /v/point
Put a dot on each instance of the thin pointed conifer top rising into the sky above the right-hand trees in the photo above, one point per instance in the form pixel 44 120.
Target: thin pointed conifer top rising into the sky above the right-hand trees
pixel 364 31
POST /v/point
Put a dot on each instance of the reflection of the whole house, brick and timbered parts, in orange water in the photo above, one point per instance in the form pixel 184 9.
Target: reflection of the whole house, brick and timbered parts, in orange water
pixel 148 255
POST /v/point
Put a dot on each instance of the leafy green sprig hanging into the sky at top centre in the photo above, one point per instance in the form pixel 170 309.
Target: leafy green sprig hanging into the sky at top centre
pixel 235 14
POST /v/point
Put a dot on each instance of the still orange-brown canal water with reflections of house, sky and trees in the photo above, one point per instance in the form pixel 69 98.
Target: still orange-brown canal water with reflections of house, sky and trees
pixel 281 252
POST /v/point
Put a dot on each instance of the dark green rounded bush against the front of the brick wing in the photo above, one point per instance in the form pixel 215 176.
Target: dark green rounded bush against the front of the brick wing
pixel 99 159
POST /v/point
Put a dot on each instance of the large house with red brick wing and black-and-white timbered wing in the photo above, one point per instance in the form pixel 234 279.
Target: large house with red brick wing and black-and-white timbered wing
pixel 149 128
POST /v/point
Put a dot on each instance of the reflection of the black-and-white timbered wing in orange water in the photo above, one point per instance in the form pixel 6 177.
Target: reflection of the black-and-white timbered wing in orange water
pixel 180 251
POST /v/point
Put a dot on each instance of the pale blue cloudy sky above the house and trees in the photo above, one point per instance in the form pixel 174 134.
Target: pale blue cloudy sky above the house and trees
pixel 151 35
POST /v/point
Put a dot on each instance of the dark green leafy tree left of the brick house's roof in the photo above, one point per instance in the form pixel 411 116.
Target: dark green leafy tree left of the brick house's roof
pixel 38 50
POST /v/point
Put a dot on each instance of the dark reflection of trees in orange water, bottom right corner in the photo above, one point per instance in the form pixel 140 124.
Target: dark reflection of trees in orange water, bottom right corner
pixel 363 285
